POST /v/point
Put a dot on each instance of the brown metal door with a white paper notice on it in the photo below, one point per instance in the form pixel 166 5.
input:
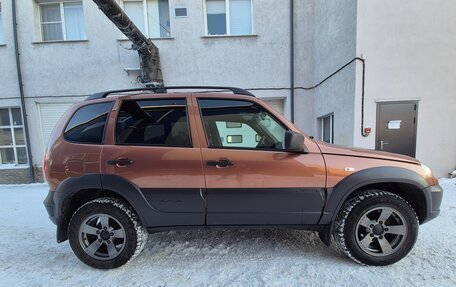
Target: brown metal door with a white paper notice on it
pixel 396 127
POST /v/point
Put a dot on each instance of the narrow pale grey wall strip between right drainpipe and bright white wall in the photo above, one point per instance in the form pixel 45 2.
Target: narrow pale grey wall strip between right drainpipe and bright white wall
pixel 335 45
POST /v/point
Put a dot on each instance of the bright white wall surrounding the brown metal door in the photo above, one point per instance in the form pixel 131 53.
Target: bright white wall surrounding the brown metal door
pixel 410 50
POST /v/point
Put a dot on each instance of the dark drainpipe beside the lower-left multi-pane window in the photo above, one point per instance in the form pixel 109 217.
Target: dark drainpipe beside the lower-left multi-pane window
pixel 21 92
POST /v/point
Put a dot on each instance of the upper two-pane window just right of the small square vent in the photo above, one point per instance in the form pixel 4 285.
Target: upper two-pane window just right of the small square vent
pixel 229 17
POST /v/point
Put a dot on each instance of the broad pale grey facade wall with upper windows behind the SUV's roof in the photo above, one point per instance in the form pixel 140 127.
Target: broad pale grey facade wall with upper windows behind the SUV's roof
pixel 68 71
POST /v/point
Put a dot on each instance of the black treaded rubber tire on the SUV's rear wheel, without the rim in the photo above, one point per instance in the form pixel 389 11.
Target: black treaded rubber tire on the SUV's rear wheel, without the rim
pixel 119 214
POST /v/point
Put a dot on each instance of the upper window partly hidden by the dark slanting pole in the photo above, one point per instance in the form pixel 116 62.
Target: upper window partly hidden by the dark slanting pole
pixel 150 16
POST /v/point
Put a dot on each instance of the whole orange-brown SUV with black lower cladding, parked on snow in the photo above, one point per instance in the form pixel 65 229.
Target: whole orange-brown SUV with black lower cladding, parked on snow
pixel 147 160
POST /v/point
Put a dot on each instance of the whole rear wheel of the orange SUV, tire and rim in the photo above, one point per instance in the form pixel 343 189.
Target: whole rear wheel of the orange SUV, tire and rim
pixel 105 233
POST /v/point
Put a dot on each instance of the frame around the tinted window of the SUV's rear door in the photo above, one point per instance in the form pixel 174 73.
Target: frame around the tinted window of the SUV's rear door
pixel 155 145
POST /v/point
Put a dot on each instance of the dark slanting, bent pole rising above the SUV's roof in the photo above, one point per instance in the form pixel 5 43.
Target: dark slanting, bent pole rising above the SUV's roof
pixel 149 58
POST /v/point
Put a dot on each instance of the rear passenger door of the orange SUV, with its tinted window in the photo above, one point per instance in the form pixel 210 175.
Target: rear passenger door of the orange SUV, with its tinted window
pixel 151 144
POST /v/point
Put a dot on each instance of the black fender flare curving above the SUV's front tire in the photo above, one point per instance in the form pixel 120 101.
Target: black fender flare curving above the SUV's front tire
pixel 342 190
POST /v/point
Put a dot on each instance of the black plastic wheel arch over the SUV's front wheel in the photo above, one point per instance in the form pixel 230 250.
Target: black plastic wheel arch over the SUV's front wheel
pixel 401 181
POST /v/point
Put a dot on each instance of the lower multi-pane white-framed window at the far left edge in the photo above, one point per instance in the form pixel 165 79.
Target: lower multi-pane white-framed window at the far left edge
pixel 12 139
